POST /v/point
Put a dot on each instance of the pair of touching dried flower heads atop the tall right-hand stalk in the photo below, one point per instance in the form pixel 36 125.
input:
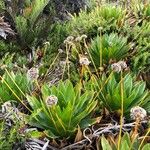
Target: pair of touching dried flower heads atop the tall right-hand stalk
pixel 119 66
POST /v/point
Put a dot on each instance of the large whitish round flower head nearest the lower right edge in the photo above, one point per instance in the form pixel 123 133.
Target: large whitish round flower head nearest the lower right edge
pixel 138 113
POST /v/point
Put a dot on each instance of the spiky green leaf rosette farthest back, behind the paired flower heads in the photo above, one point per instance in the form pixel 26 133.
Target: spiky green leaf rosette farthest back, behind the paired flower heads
pixel 112 46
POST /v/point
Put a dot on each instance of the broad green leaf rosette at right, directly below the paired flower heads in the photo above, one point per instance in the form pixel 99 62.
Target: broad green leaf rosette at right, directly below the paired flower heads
pixel 134 92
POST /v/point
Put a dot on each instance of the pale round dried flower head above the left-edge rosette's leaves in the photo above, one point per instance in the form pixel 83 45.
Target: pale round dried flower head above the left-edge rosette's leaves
pixel 33 73
